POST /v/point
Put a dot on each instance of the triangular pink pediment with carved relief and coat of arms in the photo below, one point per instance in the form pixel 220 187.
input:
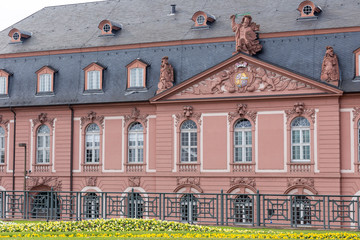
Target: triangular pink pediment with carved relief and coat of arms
pixel 246 78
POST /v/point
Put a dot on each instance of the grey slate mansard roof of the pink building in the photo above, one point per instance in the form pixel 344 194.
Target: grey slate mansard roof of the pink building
pixel 76 27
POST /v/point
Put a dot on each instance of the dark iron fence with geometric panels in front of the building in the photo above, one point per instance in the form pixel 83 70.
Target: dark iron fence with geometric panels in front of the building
pixel 266 210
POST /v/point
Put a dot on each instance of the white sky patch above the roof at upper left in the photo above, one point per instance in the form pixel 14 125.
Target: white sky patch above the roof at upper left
pixel 13 11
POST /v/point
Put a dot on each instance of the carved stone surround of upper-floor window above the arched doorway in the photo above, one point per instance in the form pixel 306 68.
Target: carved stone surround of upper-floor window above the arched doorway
pixel 41 120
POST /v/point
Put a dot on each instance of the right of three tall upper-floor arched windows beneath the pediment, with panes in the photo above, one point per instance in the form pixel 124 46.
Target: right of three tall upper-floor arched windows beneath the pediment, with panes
pixel 300 139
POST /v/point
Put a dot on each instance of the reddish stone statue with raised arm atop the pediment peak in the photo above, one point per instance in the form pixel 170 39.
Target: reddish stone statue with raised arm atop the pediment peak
pixel 245 35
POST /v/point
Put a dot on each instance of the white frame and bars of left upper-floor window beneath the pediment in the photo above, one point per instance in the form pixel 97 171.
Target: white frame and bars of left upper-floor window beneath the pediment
pixel 190 147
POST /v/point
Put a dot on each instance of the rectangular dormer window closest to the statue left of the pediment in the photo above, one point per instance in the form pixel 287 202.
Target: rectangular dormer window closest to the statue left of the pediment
pixel 137 74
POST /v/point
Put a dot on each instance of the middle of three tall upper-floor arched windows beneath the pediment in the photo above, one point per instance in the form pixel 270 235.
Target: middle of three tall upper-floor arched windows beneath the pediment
pixel 242 141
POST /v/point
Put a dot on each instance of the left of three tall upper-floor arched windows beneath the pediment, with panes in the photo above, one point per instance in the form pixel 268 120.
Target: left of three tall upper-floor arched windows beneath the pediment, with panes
pixel 188 141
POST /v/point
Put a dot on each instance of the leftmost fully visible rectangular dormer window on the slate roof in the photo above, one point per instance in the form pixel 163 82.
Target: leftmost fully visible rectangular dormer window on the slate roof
pixel 45 80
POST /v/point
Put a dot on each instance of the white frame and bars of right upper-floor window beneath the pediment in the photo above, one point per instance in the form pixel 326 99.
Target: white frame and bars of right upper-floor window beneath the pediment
pixel 301 144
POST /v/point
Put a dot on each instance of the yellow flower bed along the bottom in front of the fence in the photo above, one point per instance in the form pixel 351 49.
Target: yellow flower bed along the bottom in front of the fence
pixel 128 228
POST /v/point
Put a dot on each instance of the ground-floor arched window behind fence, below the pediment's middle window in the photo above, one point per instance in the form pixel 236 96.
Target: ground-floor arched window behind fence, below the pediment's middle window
pixel 243 209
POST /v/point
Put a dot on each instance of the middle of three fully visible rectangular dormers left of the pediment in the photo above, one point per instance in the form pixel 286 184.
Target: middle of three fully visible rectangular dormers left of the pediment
pixel 94 77
